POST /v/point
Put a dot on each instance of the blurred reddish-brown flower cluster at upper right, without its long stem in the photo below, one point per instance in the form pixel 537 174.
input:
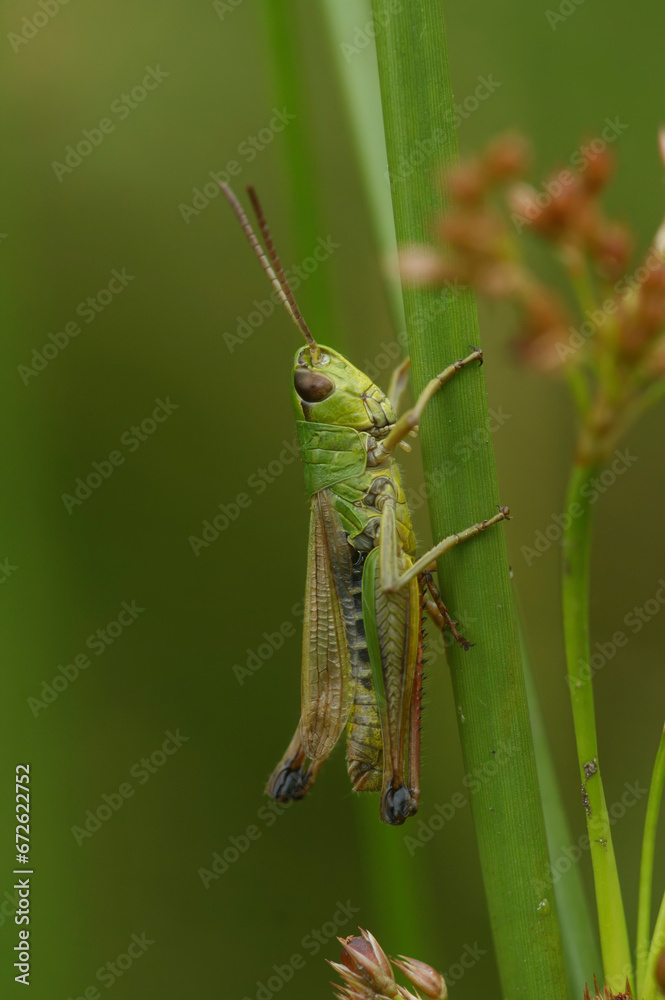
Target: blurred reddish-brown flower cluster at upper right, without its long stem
pixel 611 342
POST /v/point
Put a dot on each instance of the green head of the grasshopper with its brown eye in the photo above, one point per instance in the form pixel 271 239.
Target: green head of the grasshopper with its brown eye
pixel 328 389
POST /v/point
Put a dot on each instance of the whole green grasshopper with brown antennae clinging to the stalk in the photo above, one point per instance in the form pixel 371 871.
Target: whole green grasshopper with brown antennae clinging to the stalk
pixel 366 591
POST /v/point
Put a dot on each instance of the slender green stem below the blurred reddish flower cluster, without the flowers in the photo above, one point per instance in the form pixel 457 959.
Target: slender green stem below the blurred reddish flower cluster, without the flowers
pixel 576 552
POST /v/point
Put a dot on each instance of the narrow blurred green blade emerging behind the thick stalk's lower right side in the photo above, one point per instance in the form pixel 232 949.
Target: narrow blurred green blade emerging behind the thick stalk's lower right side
pixel 579 941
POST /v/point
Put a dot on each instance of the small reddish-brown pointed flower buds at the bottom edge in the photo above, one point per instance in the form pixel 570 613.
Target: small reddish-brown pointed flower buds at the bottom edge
pixel 368 973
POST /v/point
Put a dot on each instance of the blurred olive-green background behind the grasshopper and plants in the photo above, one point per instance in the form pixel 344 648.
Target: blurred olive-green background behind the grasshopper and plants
pixel 161 337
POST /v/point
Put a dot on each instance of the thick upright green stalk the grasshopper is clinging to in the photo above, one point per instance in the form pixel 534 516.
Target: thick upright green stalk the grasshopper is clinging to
pixel 488 684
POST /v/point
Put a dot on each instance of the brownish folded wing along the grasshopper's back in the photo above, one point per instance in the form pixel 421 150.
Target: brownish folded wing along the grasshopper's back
pixel 329 627
